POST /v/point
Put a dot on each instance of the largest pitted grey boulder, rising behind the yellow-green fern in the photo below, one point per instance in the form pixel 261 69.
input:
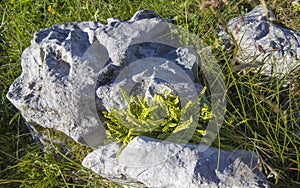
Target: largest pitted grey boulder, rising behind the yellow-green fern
pixel 72 72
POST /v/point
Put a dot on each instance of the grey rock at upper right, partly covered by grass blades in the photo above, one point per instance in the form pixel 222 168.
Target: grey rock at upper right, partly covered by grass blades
pixel 263 44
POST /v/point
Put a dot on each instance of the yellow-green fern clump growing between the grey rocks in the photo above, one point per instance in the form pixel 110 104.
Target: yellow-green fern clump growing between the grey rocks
pixel 160 119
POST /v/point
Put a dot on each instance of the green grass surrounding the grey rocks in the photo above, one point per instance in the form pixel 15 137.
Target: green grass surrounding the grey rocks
pixel 255 118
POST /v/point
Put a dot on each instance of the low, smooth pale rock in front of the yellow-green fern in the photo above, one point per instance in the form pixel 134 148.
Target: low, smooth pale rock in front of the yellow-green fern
pixel 164 164
